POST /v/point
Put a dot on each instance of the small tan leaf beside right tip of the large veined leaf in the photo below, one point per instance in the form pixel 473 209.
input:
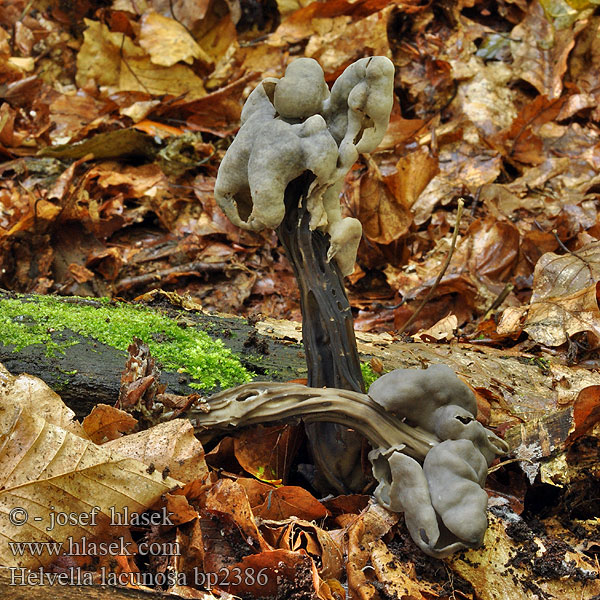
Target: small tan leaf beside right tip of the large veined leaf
pixel 171 445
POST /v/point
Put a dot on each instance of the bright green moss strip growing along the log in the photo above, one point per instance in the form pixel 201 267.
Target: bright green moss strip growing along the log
pixel 25 322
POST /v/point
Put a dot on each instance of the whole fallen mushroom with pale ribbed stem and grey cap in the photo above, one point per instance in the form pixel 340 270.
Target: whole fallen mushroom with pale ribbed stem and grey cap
pixel 430 456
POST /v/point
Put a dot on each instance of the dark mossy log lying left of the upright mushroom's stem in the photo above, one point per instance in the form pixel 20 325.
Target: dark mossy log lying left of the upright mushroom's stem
pixel 85 369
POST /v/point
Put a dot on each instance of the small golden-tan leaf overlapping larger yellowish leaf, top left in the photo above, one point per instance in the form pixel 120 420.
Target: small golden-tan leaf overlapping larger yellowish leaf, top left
pixel 168 42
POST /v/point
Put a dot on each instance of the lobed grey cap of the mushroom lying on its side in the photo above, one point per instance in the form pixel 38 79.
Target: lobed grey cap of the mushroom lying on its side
pixel 443 500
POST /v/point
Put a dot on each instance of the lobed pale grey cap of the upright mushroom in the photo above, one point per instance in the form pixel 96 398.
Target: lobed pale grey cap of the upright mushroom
pixel 293 124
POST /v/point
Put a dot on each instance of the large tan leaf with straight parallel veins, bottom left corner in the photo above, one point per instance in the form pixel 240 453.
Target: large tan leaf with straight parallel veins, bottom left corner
pixel 45 469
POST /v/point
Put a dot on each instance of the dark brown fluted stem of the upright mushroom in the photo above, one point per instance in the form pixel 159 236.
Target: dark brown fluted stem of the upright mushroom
pixel 328 337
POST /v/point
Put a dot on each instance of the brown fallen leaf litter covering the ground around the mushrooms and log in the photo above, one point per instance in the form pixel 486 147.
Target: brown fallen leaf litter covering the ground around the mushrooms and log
pixel 113 122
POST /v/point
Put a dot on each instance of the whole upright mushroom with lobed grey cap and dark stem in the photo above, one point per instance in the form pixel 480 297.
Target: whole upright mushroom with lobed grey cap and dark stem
pixel 285 170
